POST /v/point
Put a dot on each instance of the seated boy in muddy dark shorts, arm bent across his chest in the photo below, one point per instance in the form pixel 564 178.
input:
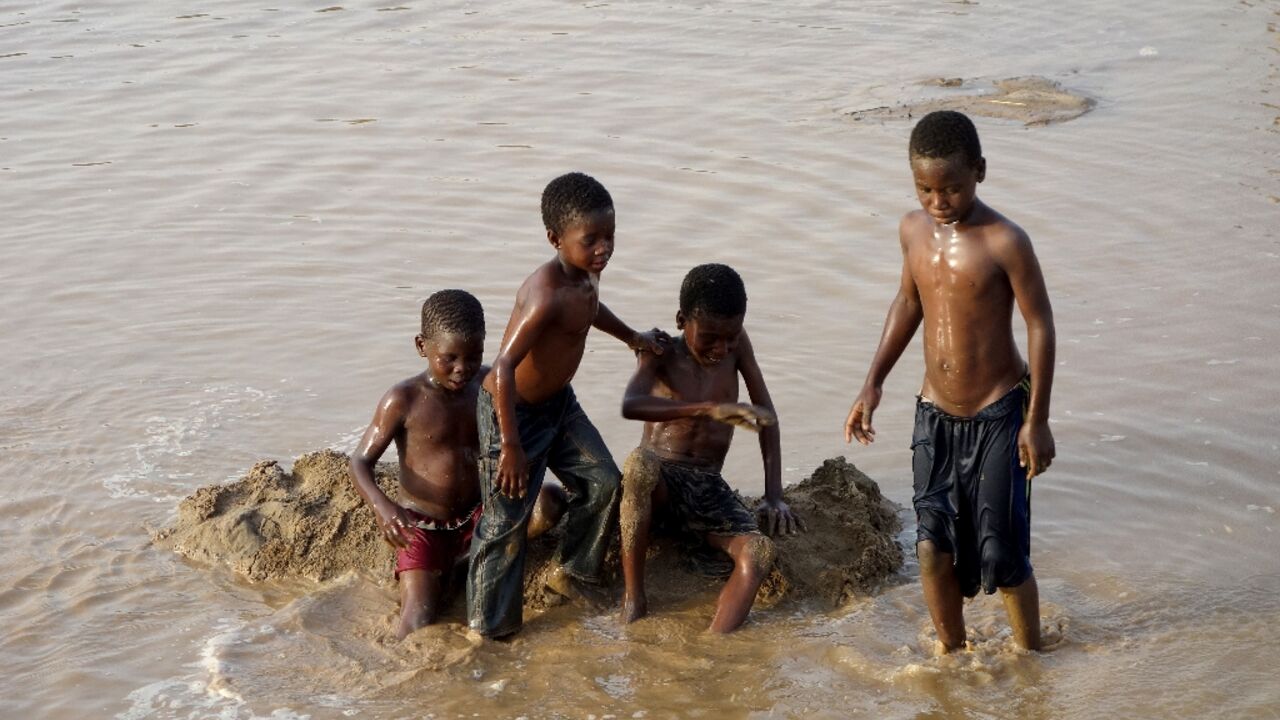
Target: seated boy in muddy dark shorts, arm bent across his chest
pixel 688 399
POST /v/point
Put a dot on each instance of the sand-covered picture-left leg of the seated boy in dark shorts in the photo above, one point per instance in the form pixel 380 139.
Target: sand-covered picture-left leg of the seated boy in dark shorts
pixel 642 489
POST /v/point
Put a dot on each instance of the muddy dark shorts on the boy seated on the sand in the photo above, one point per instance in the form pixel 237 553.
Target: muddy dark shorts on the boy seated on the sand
pixel 701 503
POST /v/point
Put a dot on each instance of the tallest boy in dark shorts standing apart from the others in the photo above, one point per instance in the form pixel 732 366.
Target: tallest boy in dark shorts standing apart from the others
pixel 982 417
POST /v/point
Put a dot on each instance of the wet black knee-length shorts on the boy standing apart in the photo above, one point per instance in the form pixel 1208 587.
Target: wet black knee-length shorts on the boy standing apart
pixel 972 498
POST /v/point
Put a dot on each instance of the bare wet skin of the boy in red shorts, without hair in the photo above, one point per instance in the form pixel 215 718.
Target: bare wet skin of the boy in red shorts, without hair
pixel 432 420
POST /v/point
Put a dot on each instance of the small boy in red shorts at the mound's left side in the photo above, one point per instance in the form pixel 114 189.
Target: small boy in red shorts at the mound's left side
pixel 432 420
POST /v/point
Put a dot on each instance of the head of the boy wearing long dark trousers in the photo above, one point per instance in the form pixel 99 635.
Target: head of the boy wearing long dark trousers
pixel 578 213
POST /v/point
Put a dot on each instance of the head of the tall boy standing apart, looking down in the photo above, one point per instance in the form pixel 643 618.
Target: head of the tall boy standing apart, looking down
pixel 947 165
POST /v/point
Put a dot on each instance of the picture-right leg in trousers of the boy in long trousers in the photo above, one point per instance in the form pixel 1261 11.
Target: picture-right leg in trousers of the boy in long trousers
pixel 593 484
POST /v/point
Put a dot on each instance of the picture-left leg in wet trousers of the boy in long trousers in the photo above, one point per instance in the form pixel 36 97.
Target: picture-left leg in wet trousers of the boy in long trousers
pixel 496 578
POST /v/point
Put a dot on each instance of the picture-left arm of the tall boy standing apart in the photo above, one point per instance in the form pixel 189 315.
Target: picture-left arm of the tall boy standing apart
pixel 904 317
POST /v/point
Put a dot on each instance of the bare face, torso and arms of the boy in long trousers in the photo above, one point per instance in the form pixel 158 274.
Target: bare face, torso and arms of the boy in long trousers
pixel 556 308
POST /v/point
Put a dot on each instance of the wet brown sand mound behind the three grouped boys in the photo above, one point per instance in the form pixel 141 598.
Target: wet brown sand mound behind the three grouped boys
pixel 310 523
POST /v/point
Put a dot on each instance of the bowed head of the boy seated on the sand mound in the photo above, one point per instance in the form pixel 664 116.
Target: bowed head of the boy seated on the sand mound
pixel 712 307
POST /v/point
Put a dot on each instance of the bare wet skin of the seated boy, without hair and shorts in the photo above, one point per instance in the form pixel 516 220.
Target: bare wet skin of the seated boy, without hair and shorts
pixel 689 402
